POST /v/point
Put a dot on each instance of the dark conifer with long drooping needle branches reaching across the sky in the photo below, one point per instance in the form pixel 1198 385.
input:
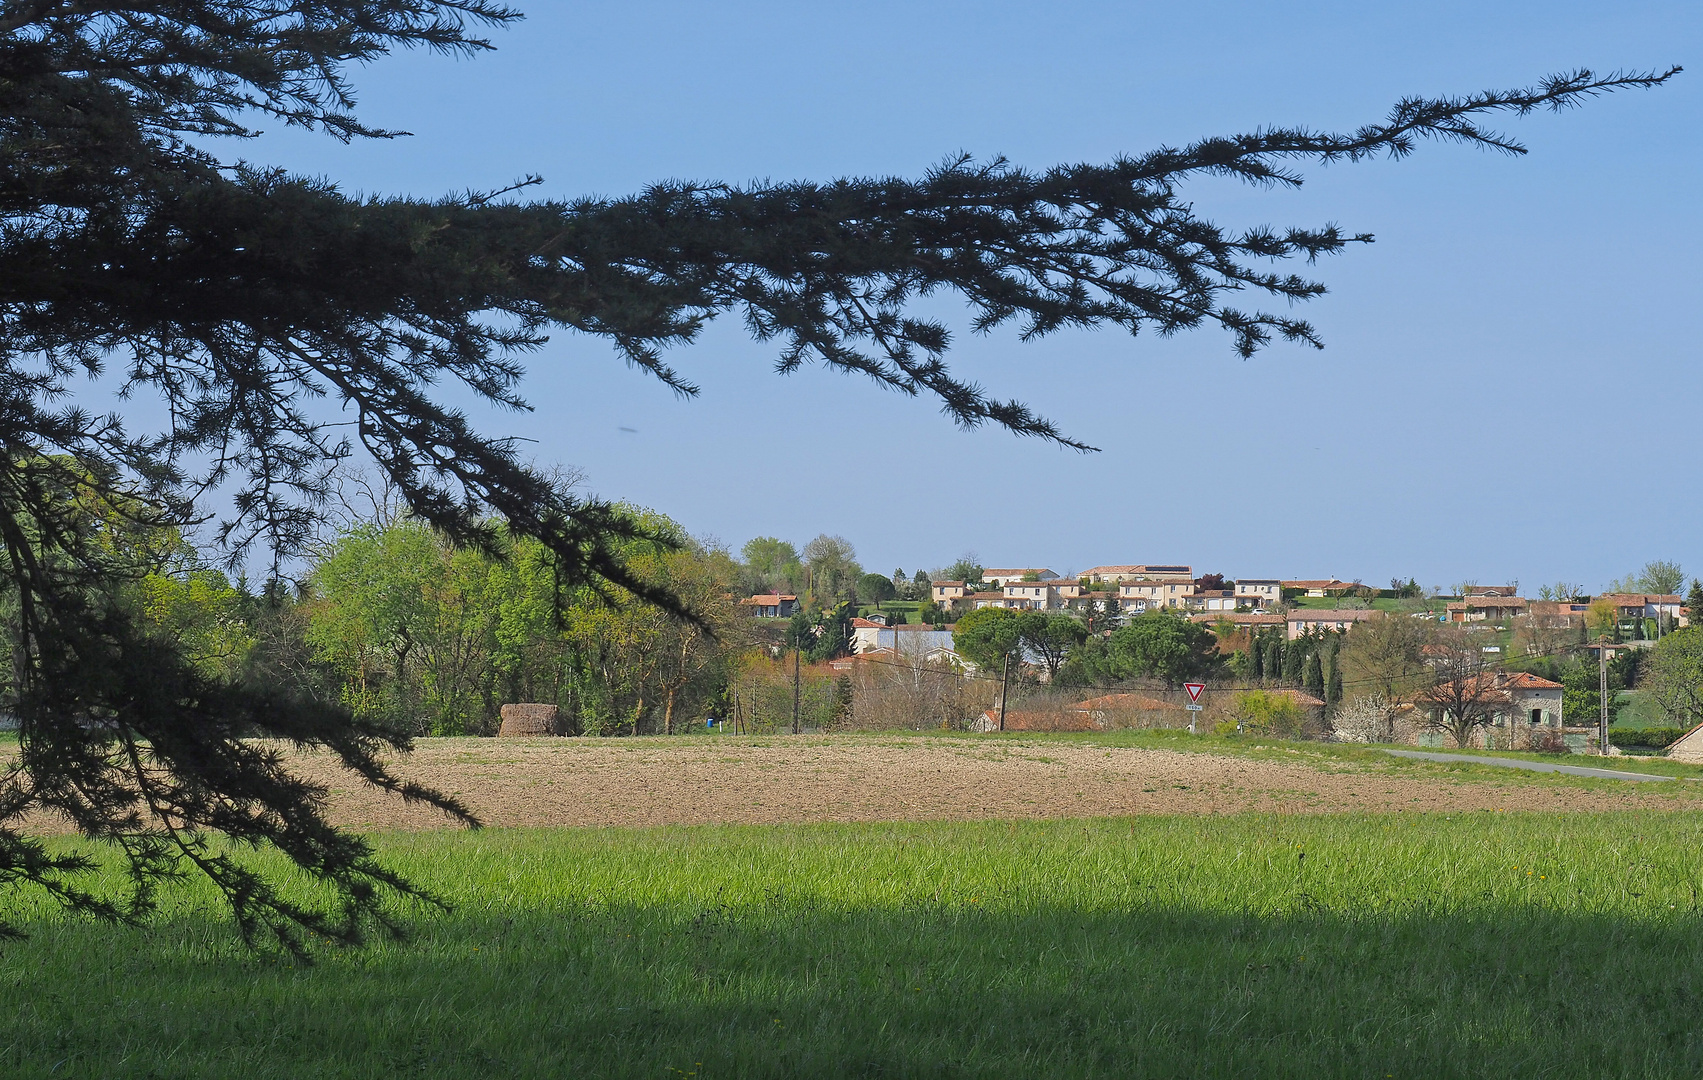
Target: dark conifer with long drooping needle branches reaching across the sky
pixel 243 296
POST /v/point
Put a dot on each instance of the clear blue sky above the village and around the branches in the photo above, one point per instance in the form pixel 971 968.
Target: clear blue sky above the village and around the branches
pixel 1510 388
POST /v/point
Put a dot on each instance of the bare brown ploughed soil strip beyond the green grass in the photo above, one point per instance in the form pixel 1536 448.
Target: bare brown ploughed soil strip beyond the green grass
pixel 907 779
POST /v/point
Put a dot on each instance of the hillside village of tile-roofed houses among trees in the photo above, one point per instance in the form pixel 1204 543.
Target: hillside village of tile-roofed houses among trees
pixel 1251 626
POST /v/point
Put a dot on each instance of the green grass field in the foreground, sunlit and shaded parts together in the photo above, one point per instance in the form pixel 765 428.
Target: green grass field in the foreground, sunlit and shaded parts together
pixel 1259 946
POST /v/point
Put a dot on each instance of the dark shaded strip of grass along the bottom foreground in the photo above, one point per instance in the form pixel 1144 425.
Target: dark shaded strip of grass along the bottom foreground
pixel 960 987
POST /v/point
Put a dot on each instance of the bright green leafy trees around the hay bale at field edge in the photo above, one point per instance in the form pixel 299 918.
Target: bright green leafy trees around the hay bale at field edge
pixel 432 638
